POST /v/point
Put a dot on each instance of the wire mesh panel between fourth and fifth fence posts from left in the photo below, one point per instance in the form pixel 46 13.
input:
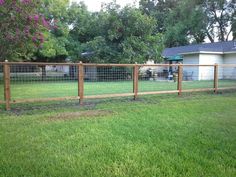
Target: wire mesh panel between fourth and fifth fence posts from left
pixel 198 77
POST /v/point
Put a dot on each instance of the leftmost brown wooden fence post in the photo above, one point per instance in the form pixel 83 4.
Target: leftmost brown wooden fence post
pixel 7 90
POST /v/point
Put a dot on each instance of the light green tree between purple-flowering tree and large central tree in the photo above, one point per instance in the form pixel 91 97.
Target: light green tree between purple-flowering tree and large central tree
pixel 56 40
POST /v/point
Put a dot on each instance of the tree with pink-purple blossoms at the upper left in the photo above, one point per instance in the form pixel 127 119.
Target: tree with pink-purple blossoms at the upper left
pixel 21 28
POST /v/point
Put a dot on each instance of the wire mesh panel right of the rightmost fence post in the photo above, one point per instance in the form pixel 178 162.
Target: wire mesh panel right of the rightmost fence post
pixel 227 76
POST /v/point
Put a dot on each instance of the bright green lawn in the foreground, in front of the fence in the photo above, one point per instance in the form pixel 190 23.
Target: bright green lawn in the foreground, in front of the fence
pixel 161 135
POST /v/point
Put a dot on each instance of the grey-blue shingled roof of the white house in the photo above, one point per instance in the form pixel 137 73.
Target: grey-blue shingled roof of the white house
pixel 217 47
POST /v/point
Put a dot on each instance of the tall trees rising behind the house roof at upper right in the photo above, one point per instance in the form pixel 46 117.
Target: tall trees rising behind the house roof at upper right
pixel 183 21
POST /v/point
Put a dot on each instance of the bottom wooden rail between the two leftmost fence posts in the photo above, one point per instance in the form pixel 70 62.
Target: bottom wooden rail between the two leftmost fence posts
pixel 44 99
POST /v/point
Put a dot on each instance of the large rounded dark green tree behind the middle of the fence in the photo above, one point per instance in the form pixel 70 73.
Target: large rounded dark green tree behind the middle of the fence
pixel 118 35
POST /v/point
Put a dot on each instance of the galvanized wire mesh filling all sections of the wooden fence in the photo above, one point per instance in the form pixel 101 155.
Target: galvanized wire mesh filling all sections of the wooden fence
pixel 36 81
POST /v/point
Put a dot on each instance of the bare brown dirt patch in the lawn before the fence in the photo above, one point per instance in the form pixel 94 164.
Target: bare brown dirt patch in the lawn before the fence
pixel 81 114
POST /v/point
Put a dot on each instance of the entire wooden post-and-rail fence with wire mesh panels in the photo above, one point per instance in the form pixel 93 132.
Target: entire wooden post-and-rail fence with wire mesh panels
pixel 34 82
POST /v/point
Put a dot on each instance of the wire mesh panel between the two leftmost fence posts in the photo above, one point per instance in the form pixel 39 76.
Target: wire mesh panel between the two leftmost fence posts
pixel 32 81
